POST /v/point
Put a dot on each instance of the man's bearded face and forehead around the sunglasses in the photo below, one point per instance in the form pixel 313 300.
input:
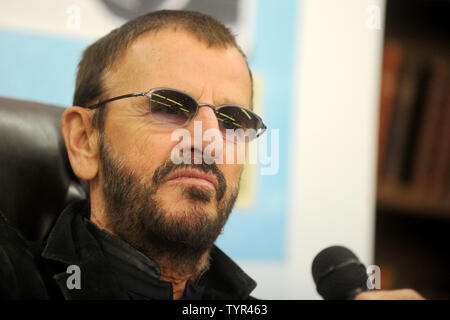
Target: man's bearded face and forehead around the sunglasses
pixel 146 195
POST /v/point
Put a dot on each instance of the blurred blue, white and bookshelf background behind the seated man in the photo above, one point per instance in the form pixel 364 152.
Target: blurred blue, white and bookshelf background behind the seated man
pixel 356 93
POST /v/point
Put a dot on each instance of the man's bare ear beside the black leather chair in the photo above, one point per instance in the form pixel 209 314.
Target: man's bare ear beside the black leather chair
pixel 81 142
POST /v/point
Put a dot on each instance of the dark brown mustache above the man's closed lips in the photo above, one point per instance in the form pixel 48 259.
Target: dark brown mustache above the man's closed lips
pixel 168 167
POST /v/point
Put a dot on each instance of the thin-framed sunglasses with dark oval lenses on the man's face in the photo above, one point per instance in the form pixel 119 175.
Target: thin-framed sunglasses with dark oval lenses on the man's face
pixel 177 108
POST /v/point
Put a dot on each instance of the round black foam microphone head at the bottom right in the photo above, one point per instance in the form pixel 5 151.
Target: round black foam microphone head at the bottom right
pixel 338 274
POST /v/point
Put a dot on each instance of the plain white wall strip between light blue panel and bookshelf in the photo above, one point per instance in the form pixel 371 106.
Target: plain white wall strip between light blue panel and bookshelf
pixel 333 168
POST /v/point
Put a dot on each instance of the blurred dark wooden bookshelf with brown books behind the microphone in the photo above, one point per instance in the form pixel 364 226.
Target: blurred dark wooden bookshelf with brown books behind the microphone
pixel 413 174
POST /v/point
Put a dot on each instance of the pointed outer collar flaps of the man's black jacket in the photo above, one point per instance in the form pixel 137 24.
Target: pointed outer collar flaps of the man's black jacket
pixel 70 243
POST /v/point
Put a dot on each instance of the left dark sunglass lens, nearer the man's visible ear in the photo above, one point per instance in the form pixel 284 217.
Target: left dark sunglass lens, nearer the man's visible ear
pixel 170 106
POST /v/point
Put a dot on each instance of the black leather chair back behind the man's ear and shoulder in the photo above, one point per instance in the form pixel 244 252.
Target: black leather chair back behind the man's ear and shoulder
pixel 36 180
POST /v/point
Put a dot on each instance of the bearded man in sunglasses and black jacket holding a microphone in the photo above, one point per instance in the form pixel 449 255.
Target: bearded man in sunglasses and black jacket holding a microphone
pixel 149 228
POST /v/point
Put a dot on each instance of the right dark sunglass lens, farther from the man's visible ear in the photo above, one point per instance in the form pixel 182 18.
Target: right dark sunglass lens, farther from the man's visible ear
pixel 238 122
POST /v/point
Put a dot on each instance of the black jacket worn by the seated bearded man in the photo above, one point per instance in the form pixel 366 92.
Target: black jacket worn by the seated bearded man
pixel 38 270
